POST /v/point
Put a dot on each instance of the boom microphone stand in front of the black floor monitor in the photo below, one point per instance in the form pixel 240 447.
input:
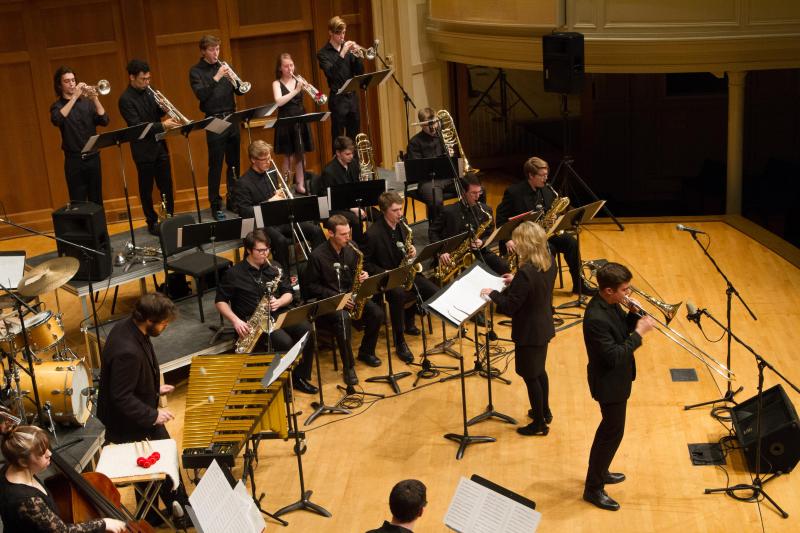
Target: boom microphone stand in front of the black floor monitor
pixel 757 484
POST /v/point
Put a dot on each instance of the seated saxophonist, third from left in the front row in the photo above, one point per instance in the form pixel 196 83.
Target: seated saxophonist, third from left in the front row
pixel 385 249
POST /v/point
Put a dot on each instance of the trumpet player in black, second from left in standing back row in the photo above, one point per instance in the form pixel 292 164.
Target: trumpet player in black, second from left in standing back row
pixel 137 106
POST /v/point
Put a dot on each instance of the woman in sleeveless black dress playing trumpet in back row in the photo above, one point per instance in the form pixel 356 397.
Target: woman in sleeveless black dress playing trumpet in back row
pixel 288 138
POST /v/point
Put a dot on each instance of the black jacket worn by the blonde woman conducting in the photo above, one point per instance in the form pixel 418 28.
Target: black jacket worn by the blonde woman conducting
pixel 528 301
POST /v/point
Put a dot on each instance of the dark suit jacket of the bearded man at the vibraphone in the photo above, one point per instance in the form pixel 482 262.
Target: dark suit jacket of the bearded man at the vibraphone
pixel 129 384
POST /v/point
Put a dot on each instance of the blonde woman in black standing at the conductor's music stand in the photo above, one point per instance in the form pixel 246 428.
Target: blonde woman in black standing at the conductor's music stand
pixel 528 301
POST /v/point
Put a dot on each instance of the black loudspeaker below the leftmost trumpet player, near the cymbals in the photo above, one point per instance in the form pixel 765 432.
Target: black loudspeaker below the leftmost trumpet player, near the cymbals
pixel 85 224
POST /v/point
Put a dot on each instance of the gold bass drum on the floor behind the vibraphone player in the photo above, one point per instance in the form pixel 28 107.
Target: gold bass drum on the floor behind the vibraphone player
pixel 66 385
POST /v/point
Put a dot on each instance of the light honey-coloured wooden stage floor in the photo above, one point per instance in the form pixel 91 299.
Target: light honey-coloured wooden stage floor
pixel 352 461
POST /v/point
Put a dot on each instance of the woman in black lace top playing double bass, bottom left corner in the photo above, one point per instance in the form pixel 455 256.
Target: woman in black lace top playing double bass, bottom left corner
pixel 25 502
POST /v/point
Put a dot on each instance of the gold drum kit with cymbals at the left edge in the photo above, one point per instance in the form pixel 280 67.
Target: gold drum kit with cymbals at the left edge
pixel 52 377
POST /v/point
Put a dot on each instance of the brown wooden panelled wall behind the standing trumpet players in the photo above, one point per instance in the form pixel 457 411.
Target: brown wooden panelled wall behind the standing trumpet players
pixel 98 37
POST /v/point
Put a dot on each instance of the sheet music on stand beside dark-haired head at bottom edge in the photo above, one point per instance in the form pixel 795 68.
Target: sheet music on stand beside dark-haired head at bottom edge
pixel 478 509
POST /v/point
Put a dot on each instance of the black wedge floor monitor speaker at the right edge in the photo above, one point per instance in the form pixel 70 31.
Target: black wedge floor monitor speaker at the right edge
pixel 780 431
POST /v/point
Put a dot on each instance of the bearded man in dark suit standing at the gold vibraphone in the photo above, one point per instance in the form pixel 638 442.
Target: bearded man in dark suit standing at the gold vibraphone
pixel 130 384
